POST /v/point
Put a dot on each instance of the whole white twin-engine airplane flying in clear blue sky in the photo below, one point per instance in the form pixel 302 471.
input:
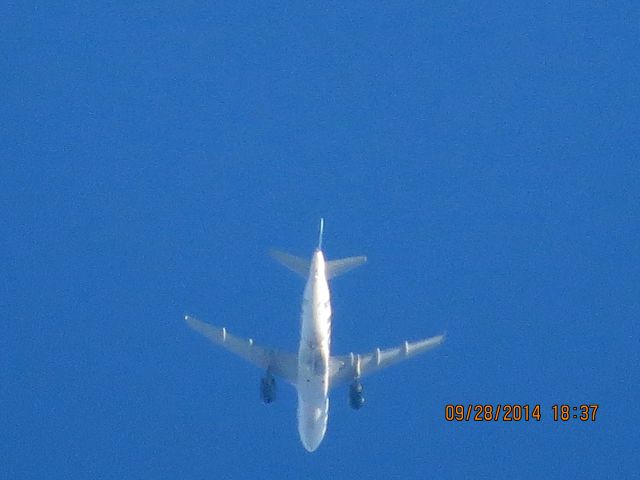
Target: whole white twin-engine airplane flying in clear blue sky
pixel 313 371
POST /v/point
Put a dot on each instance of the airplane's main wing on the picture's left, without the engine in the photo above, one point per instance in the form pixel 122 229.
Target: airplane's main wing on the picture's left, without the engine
pixel 283 364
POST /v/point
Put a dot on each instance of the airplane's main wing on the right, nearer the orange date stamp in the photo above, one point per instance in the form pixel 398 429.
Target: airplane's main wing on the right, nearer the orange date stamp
pixel 348 367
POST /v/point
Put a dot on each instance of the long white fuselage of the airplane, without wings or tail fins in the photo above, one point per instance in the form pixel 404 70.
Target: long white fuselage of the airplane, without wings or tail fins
pixel 313 356
